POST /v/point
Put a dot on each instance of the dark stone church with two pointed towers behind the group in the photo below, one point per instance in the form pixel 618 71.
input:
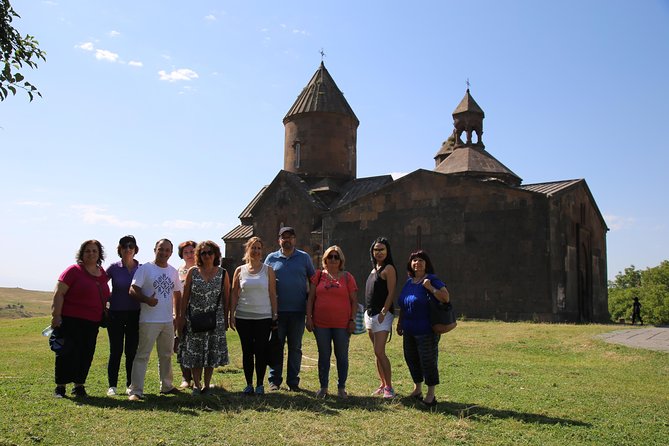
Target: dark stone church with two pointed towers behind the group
pixel 505 250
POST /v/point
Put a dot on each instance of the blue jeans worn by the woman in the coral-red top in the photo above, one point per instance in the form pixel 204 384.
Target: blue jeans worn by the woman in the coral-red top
pixel 325 337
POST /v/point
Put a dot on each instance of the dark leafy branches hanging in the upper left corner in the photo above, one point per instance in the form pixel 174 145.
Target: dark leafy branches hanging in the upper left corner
pixel 17 52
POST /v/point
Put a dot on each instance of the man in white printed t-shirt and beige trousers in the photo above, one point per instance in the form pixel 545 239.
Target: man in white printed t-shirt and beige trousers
pixel 157 287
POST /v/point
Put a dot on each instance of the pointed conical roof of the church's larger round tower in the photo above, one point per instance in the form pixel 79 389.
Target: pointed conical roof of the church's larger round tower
pixel 321 95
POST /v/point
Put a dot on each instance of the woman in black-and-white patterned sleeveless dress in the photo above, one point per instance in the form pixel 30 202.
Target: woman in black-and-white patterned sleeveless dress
pixel 206 289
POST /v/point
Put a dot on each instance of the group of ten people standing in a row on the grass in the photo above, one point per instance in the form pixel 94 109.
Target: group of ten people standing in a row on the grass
pixel 268 302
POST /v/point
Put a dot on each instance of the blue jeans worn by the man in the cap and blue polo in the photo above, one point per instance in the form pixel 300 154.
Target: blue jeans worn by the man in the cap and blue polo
pixel 291 330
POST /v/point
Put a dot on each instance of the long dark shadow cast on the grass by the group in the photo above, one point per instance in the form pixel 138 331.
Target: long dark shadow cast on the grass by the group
pixel 221 400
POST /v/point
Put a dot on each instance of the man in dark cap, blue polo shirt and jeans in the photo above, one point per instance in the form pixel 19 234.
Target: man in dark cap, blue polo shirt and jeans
pixel 293 269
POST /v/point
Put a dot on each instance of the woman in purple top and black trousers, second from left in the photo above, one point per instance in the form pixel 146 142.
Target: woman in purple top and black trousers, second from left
pixel 123 329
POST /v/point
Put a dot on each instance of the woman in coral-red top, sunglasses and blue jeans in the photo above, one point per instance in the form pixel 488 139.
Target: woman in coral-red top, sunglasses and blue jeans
pixel 331 305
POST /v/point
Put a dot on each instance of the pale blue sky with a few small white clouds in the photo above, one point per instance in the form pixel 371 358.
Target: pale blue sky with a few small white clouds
pixel 164 118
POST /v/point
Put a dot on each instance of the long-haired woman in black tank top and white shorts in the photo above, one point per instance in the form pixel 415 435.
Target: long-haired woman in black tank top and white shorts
pixel 379 314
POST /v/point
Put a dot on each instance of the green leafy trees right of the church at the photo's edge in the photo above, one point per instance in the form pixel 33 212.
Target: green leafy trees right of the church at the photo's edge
pixel 651 286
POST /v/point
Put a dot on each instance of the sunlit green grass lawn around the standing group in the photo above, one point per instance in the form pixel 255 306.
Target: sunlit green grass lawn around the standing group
pixel 502 383
